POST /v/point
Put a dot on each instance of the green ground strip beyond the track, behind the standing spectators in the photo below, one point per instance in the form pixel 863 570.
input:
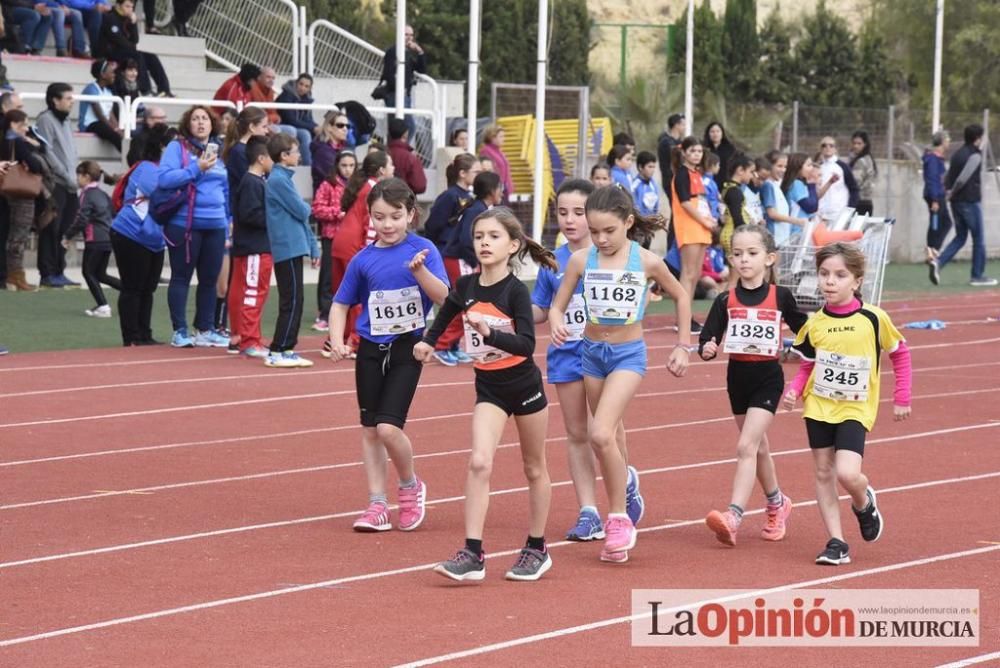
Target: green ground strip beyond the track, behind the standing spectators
pixel 54 319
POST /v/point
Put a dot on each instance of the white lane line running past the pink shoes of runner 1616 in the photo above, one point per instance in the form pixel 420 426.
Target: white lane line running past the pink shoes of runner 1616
pixel 454 499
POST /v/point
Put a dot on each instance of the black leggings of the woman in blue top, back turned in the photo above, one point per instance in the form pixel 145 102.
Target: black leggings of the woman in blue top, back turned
pixel 140 270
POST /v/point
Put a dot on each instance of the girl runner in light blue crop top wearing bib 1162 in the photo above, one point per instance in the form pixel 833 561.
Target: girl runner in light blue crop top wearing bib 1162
pixel 614 272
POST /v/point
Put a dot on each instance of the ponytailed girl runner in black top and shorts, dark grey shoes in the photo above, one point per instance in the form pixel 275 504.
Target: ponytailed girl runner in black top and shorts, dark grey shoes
pixel 500 337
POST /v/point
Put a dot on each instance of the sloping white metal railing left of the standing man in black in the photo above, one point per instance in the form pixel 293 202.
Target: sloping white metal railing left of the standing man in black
pixel 335 53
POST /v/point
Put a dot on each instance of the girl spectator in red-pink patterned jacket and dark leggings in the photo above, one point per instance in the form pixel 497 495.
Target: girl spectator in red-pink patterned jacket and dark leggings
pixel 328 214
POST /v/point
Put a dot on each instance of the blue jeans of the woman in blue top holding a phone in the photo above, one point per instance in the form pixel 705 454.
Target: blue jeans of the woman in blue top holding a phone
pixel 205 251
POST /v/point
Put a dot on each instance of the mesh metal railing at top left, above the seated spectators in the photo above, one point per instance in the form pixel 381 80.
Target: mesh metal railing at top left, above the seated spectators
pixel 264 32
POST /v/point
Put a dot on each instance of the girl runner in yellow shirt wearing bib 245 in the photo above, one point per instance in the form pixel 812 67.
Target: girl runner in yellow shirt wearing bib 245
pixel 839 383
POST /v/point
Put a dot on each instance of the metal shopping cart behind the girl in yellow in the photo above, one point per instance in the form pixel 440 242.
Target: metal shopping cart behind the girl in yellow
pixel 797 261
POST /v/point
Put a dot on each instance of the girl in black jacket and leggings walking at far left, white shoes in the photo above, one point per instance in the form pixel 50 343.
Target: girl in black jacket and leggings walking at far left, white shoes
pixel 93 218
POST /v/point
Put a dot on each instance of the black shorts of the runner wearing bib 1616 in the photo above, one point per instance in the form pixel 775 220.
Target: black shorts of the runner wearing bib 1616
pixel 386 376
